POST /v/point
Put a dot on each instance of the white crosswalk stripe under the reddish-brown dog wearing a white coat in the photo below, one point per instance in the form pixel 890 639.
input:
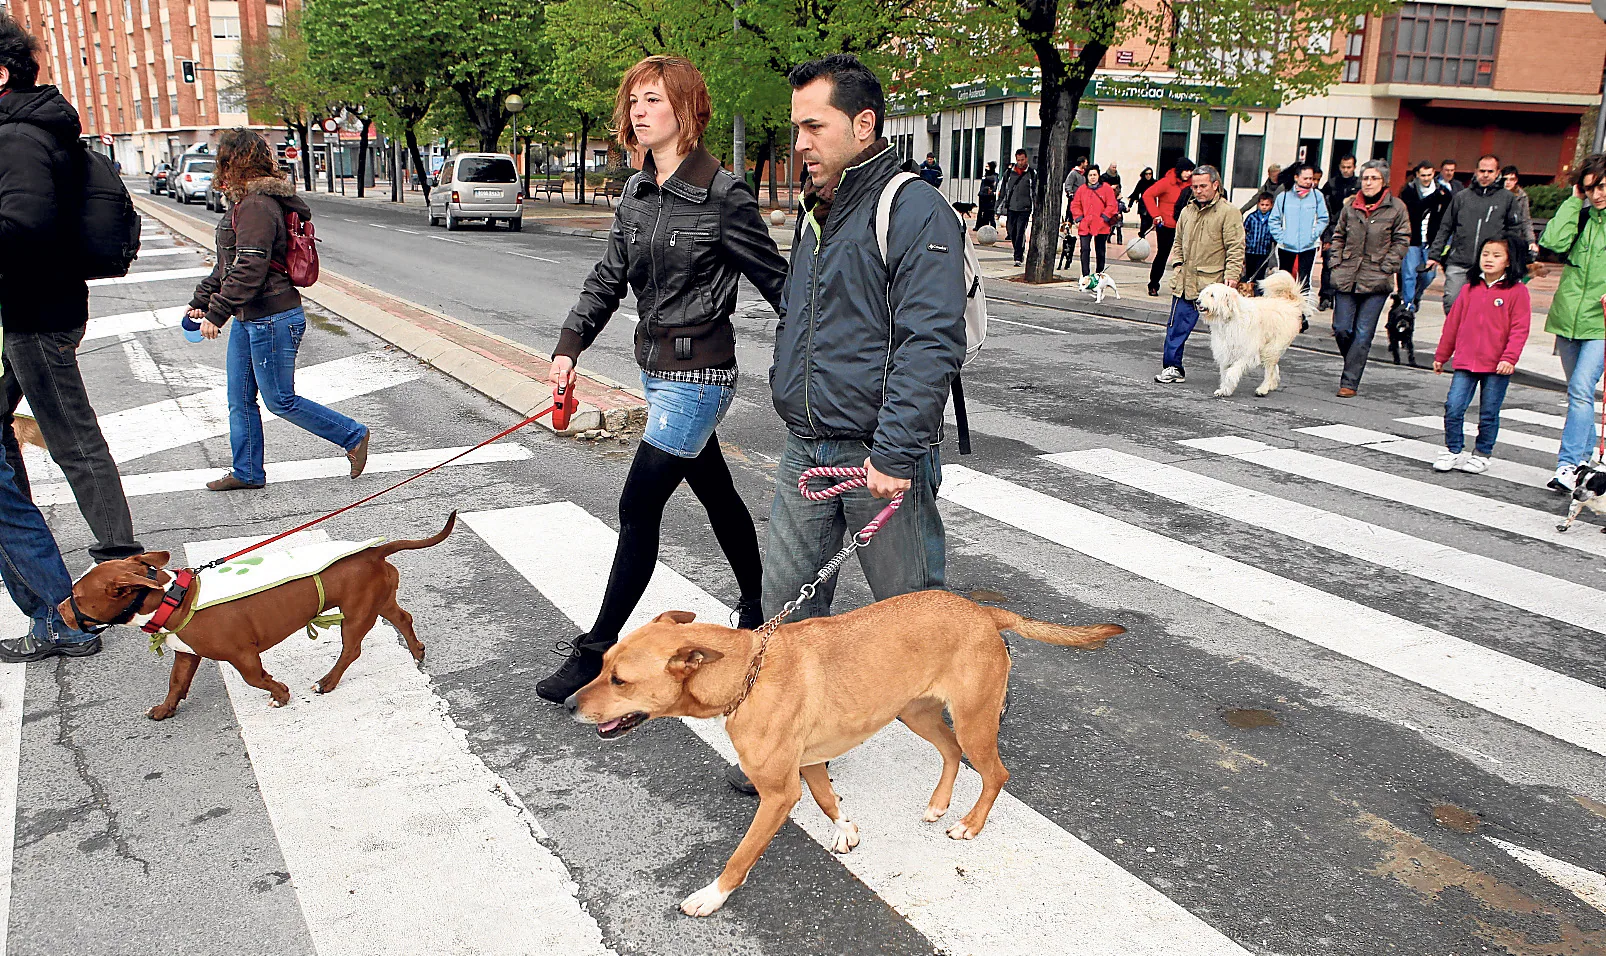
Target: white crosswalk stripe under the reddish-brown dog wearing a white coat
pixel 388 822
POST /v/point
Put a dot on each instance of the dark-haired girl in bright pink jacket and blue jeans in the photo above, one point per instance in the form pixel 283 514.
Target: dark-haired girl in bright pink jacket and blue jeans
pixel 1485 332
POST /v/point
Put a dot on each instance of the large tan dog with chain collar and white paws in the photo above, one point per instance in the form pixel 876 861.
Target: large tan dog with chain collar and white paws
pixel 817 690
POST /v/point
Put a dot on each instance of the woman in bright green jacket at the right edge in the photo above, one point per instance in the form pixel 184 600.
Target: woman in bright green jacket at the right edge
pixel 1578 234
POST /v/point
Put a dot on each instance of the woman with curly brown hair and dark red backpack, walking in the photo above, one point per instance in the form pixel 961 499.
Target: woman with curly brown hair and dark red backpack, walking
pixel 250 282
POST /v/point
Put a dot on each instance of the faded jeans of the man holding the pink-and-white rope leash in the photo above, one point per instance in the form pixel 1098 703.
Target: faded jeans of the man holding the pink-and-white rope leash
pixel 907 555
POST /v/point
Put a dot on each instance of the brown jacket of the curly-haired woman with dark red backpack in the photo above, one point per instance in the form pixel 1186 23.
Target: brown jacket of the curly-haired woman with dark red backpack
pixel 250 239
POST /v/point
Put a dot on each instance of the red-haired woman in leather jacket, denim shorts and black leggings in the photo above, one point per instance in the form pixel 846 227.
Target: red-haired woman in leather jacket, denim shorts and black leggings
pixel 683 237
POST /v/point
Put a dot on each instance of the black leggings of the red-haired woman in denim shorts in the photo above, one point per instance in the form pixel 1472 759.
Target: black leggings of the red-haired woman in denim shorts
pixel 653 478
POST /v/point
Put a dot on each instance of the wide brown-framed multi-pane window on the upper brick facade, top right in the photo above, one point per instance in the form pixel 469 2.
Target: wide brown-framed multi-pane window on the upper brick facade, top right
pixel 1440 46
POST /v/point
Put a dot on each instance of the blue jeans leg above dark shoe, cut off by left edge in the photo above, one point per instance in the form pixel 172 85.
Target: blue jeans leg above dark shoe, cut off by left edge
pixel 31 563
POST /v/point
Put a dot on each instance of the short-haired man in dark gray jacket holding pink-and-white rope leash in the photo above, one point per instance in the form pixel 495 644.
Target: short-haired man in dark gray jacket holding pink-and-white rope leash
pixel 865 351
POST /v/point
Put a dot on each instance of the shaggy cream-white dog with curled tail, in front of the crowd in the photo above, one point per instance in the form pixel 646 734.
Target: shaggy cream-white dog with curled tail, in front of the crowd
pixel 1249 332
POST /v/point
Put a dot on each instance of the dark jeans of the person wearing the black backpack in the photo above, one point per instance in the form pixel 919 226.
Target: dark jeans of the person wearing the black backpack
pixel 44 367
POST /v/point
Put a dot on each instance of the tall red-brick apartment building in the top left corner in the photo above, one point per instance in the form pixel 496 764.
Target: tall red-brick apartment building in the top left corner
pixel 120 63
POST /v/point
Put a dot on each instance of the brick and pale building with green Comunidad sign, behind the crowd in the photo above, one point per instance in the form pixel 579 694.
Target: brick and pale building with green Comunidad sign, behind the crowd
pixel 1429 81
